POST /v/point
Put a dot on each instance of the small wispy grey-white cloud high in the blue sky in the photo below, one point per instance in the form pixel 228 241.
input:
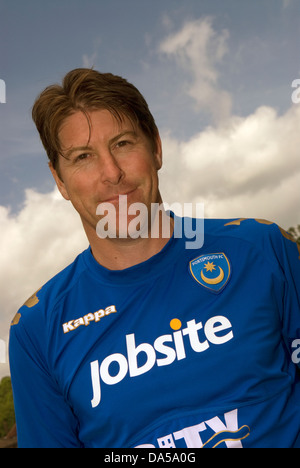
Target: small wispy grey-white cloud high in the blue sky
pixel 198 49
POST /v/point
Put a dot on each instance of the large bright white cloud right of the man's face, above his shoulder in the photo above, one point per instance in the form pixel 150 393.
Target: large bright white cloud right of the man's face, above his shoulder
pixel 249 167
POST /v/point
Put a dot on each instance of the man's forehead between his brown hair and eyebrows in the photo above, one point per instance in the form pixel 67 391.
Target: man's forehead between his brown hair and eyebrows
pixel 82 127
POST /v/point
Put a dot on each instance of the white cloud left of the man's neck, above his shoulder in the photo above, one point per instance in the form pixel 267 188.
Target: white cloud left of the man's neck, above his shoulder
pixel 35 244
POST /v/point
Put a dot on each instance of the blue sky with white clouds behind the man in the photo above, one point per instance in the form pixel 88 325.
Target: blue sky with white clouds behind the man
pixel 217 75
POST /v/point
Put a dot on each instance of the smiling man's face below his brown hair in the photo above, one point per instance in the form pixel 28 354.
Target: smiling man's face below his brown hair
pixel 106 161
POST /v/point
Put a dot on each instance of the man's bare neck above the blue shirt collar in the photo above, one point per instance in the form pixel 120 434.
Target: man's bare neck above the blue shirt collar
pixel 118 254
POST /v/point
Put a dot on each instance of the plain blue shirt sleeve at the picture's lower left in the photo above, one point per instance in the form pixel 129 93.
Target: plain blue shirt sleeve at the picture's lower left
pixel 44 419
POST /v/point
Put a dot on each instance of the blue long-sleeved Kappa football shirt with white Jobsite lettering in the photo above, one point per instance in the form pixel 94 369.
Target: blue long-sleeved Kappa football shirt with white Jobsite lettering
pixel 192 348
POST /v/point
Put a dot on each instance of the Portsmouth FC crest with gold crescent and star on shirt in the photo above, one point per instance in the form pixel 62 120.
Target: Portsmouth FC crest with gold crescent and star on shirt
pixel 211 271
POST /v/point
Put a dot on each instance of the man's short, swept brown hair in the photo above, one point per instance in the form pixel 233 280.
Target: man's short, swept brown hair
pixel 86 89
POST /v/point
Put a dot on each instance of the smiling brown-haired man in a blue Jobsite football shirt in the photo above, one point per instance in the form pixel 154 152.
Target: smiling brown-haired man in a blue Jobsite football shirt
pixel 142 342
